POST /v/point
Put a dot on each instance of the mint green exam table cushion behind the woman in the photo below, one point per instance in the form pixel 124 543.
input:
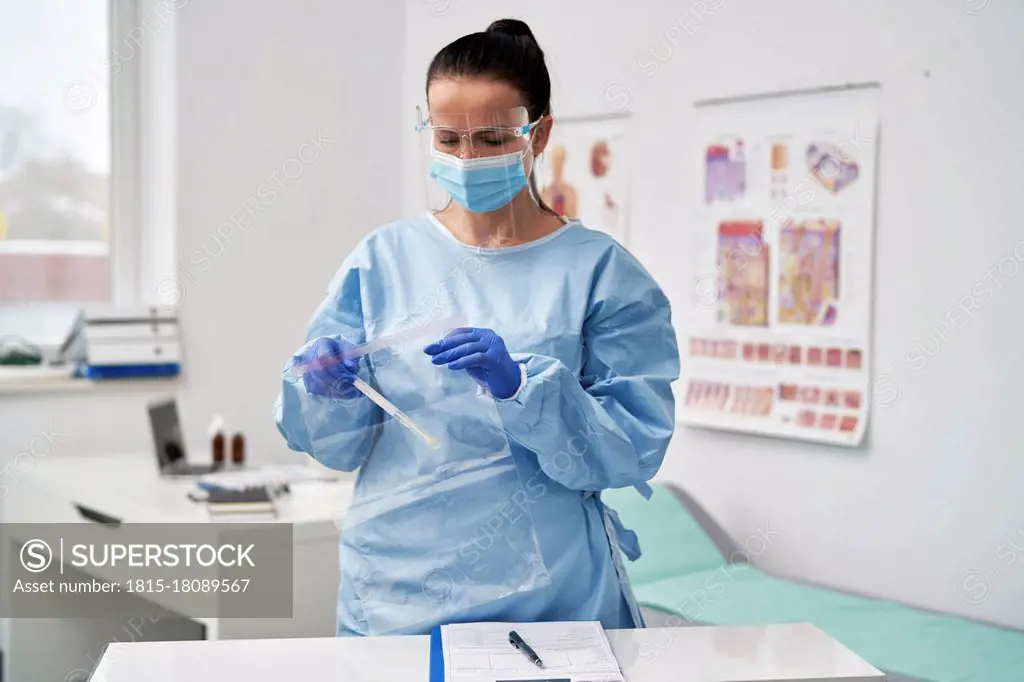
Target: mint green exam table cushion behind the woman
pixel 679 574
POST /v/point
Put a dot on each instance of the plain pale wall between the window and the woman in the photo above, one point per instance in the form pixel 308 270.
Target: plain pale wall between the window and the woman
pixel 255 81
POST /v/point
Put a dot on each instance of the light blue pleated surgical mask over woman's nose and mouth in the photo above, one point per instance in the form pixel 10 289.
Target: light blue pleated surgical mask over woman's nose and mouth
pixel 484 185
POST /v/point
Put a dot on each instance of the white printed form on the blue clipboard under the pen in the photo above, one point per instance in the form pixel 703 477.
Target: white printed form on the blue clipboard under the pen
pixel 576 652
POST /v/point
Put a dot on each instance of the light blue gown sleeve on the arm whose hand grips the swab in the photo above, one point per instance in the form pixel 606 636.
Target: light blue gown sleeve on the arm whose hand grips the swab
pixel 336 433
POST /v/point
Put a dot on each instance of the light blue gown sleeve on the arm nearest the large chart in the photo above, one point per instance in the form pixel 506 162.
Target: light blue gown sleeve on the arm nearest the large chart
pixel 611 427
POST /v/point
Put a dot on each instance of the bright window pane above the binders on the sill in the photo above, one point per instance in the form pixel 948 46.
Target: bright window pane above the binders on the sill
pixel 59 227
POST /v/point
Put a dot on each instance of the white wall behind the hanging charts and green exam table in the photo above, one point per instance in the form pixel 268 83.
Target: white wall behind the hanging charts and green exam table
pixel 938 488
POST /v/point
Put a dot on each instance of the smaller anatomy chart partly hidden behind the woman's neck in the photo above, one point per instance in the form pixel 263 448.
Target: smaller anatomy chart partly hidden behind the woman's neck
pixel 583 174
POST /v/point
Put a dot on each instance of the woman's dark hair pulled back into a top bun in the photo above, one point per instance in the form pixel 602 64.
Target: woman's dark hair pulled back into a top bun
pixel 506 52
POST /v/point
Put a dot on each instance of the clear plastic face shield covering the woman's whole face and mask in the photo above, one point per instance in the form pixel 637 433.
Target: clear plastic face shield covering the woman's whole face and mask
pixel 479 161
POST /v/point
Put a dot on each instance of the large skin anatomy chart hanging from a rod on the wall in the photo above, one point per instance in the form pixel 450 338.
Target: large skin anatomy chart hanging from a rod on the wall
pixel 778 335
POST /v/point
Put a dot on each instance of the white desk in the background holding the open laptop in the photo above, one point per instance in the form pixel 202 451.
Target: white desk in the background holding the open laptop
pixel 130 490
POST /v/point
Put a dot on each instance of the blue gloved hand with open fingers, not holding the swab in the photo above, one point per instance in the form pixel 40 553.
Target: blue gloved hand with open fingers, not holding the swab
pixel 483 355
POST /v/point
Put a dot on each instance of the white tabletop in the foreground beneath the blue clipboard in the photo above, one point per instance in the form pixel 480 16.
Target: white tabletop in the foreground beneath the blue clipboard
pixel 798 653
